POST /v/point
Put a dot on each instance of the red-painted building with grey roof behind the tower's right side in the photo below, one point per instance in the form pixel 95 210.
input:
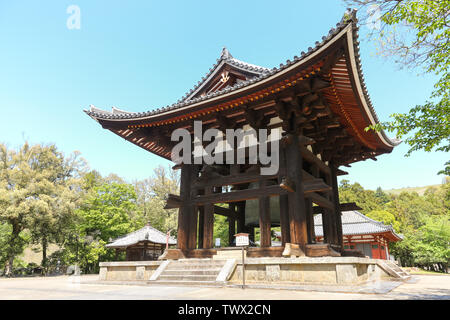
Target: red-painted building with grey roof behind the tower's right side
pixel 361 233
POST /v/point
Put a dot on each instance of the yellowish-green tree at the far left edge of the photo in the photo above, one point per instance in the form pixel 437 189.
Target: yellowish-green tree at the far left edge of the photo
pixel 36 194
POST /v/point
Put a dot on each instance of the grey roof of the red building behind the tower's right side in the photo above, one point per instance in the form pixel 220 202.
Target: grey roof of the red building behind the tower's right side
pixel 355 223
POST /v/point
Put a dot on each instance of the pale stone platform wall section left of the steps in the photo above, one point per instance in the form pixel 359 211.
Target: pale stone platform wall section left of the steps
pixel 128 270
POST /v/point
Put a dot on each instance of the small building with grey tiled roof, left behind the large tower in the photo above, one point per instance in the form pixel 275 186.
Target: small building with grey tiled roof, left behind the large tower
pixel 144 244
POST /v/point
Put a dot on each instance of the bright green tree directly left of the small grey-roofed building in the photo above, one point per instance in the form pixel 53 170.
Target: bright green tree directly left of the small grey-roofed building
pixel 105 214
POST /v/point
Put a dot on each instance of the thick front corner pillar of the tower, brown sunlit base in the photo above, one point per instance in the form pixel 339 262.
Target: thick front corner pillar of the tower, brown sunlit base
pixel 297 209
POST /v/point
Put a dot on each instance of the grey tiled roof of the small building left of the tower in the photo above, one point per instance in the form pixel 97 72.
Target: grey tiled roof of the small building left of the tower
pixel 147 233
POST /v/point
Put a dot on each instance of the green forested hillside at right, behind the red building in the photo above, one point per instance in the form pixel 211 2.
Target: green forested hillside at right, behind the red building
pixel 423 220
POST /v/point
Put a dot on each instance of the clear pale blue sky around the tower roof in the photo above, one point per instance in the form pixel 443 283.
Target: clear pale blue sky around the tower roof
pixel 141 55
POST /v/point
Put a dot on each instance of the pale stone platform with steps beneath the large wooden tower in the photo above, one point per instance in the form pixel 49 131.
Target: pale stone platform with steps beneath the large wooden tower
pixel 264 271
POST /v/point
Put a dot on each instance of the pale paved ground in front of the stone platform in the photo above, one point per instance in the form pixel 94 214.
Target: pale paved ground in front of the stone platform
pixel 65 287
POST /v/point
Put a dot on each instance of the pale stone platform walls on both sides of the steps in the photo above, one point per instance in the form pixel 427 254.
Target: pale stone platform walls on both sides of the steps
pixel 303 270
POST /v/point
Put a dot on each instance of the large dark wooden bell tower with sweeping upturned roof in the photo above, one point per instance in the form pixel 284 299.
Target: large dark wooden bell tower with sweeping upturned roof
pixel 317 100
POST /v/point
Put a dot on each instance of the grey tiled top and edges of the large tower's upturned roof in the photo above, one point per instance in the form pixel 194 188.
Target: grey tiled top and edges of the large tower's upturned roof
pixel 349 20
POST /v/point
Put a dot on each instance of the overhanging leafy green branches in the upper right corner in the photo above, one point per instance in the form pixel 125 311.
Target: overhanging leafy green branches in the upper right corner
pixel 417 33
